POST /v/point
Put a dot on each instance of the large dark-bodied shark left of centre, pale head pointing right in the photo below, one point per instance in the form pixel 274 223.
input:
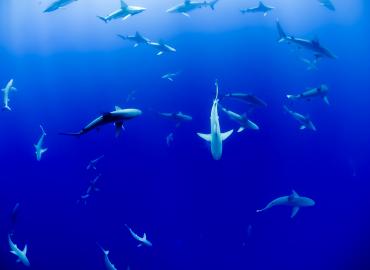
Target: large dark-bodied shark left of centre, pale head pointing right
pixel 118 117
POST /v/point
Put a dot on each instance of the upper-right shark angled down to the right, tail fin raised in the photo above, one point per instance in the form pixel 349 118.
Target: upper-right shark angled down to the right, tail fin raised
pixel 311 45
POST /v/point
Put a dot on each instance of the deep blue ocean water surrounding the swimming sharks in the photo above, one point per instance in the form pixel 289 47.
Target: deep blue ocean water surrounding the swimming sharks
pixel 70 67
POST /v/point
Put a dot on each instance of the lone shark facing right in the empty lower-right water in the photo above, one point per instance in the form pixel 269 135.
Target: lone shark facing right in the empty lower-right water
pixel 293 200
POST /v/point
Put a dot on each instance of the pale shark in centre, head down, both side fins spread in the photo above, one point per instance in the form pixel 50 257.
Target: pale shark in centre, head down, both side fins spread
pixel 215 138
